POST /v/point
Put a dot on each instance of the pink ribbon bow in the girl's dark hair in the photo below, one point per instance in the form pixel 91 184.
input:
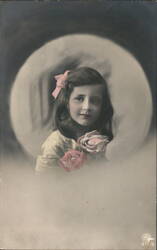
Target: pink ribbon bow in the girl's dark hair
pixel 60 83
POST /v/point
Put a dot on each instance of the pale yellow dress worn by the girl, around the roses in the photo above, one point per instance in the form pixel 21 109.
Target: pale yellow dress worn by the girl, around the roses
pixel 55 147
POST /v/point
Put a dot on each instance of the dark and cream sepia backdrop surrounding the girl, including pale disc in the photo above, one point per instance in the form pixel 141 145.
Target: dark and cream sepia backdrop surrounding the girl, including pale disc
pixel 107 206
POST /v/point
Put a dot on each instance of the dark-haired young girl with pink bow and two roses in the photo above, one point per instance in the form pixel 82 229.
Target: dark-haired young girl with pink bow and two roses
pixel 82 116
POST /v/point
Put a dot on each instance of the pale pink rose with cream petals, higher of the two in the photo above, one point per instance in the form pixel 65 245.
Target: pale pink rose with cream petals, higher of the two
pixel 93 142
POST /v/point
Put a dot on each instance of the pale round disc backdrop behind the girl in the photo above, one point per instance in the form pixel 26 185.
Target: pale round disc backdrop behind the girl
pixel 129 89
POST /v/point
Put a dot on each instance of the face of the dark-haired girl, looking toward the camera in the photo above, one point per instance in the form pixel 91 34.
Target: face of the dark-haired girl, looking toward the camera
pixel 85 104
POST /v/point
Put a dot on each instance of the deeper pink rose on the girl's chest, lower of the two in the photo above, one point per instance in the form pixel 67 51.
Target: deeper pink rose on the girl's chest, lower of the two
pixel 73 159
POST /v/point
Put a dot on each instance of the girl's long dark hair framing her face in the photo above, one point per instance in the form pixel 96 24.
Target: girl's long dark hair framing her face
pixel 61 117
